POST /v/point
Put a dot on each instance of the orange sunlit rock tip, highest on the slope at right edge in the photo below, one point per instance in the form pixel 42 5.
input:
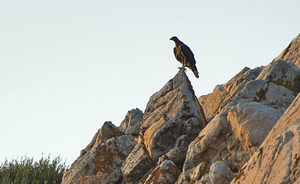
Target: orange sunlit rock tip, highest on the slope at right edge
pixel 292 52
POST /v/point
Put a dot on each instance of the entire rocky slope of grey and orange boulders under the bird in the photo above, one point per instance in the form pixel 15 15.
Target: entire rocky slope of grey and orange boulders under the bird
pixel 246 131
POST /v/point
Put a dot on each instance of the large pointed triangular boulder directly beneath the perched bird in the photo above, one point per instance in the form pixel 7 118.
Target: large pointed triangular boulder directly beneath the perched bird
pixel 170 113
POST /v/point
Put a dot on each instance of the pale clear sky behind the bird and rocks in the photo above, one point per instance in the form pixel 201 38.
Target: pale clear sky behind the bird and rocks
pixel 67 66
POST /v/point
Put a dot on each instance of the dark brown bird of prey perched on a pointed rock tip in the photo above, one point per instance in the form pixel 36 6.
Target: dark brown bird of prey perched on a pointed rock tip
pixel 185 56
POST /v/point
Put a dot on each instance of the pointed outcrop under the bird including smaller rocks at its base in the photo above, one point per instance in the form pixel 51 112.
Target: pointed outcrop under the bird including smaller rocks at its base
pixel 172 119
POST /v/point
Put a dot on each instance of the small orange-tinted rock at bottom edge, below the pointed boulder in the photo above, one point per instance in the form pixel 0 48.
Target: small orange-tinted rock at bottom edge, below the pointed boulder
pixel 165 173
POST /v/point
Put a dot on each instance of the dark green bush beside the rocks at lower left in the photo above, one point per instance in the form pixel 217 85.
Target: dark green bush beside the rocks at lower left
pixel 26 171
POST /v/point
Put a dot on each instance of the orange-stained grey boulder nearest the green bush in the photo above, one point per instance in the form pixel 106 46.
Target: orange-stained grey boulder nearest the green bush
pixel 101 163
